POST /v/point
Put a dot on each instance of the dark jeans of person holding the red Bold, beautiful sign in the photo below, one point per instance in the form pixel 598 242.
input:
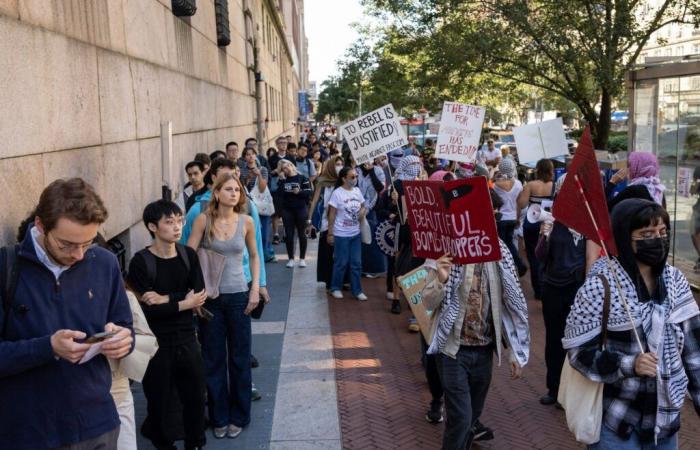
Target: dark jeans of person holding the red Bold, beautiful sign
pixel 466 380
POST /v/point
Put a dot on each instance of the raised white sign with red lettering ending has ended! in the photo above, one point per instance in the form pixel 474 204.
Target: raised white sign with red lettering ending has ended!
pixel 460 130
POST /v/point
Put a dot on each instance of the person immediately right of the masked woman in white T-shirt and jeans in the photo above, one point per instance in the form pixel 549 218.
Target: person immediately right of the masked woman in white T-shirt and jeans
pixel 372 184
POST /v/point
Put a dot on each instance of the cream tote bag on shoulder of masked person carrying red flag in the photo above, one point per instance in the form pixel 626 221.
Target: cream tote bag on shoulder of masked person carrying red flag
pixel 581 398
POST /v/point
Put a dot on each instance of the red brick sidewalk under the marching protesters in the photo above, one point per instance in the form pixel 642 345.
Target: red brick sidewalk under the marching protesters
pixel 383 395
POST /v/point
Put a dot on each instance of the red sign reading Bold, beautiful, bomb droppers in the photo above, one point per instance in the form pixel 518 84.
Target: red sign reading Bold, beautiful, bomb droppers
pixel 454 217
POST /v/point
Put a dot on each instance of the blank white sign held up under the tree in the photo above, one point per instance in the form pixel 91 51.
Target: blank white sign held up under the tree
pixel 540 140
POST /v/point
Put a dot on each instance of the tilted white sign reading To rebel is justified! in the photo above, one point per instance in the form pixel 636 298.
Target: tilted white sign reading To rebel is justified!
pixel 374 134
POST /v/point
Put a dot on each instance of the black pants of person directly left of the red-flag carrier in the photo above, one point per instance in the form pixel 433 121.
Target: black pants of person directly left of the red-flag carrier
pixel 556 305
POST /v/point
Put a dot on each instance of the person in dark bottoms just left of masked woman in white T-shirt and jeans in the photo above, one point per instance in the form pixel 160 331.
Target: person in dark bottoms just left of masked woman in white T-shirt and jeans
pixel 322 195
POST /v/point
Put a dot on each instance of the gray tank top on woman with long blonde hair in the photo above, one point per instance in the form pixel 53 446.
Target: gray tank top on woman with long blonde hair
pixel 233 278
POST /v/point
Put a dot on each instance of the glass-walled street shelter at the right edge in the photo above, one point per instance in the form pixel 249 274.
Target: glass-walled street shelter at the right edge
pixel 666 121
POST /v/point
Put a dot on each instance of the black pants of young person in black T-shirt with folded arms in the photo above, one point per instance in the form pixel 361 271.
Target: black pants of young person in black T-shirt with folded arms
pixel 177 368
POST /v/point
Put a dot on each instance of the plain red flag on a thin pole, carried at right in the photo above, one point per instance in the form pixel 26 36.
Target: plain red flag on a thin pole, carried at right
pixel 581 203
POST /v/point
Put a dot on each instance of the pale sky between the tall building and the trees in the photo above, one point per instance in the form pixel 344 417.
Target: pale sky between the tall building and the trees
pixel 328 29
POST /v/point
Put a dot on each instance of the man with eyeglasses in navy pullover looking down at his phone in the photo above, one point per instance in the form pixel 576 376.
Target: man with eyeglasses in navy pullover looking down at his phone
pixel 63 291
